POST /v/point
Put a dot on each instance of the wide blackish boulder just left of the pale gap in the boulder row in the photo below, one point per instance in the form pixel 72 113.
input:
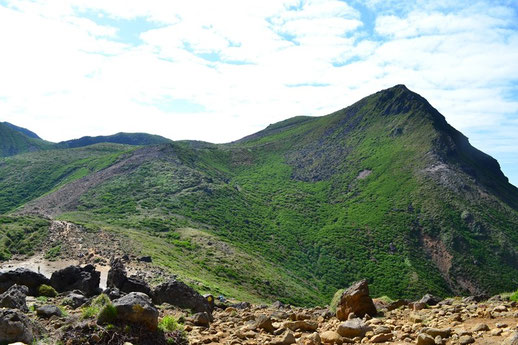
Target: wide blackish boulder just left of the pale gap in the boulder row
pixel 85 279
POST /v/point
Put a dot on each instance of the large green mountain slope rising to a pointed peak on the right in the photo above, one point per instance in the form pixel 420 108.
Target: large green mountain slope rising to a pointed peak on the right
pixel 384 189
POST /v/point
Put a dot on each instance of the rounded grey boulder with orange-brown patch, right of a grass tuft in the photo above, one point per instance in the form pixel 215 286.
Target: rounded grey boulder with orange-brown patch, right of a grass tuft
pixel 136 307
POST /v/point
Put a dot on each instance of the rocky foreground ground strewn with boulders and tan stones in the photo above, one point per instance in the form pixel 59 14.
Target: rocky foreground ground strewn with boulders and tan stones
pixel 131 312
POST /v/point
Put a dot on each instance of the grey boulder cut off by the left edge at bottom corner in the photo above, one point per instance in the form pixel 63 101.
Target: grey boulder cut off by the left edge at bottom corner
pixel 14 326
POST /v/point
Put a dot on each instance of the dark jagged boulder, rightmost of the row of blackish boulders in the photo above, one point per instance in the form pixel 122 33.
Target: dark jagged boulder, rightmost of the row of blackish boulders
pixel 179 294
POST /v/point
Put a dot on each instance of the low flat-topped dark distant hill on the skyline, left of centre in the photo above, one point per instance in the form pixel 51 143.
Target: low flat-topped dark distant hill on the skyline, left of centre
pixel 119 138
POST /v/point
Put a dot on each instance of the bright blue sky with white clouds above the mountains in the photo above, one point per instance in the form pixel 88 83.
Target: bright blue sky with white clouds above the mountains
pixel 219 70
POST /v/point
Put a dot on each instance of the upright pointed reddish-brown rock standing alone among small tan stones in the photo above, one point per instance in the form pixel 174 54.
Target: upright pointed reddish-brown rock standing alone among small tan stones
pixel 356 300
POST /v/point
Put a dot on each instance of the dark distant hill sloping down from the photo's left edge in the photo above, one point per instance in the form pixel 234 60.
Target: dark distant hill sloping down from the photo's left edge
pixel 15 140
